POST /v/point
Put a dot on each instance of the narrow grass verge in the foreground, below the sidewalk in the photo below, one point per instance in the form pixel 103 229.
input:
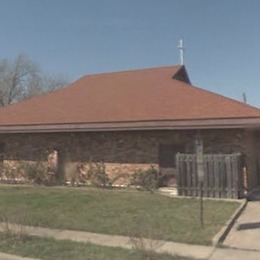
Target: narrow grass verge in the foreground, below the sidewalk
pixel 47 249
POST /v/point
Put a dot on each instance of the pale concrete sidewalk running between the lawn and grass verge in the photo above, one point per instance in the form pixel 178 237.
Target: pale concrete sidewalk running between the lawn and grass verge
pixel 189 251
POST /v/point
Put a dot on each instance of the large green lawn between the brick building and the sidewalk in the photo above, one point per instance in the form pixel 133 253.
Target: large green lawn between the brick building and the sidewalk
pixel 120 212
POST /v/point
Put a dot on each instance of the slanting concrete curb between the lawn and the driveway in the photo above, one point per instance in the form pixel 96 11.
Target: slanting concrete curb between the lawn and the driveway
pixel 221 235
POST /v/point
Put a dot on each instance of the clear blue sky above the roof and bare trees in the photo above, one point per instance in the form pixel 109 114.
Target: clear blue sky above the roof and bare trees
pixel 72 38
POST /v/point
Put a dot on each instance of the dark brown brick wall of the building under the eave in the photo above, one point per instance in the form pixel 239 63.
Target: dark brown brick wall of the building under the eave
pixel 127 151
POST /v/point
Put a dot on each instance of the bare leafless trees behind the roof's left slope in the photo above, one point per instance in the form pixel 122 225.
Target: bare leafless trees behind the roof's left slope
pixel 22 78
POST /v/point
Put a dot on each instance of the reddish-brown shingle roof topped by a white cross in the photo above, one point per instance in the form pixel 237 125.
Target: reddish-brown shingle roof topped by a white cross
pixel 131 96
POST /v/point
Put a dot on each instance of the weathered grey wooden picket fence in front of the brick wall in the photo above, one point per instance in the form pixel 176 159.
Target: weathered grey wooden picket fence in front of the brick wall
pixel 223 177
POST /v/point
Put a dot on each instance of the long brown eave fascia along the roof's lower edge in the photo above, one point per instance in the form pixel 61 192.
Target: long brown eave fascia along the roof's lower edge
pixel 226 123
